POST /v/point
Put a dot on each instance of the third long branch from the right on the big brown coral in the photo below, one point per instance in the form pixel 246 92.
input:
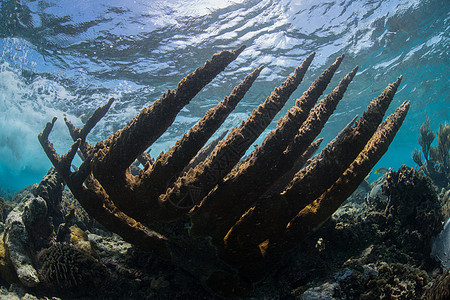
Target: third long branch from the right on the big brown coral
pixel 238 193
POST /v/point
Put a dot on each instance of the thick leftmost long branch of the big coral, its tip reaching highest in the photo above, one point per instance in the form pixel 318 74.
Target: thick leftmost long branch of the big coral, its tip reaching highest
pixel 115 155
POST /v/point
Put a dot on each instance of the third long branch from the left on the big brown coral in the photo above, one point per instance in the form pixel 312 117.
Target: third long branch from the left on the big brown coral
pixel 206 175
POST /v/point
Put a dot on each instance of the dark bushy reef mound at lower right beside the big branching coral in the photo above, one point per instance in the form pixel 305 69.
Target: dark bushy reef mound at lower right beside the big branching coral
pixel 390 253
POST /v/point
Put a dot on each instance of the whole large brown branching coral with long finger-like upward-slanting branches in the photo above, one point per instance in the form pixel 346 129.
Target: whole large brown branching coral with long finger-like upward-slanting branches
pixel 239 206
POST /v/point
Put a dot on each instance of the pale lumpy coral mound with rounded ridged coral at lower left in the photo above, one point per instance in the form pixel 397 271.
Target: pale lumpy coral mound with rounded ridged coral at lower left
pixel 29 229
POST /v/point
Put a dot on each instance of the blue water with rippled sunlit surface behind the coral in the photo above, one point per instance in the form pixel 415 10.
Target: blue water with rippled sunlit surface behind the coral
pixel 60 59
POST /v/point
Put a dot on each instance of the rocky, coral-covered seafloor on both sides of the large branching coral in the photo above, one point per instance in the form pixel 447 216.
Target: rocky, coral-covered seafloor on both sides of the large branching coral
pixel 378 245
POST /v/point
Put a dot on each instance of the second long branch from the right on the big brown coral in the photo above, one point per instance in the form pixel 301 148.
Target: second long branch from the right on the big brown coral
pixel 312 181
